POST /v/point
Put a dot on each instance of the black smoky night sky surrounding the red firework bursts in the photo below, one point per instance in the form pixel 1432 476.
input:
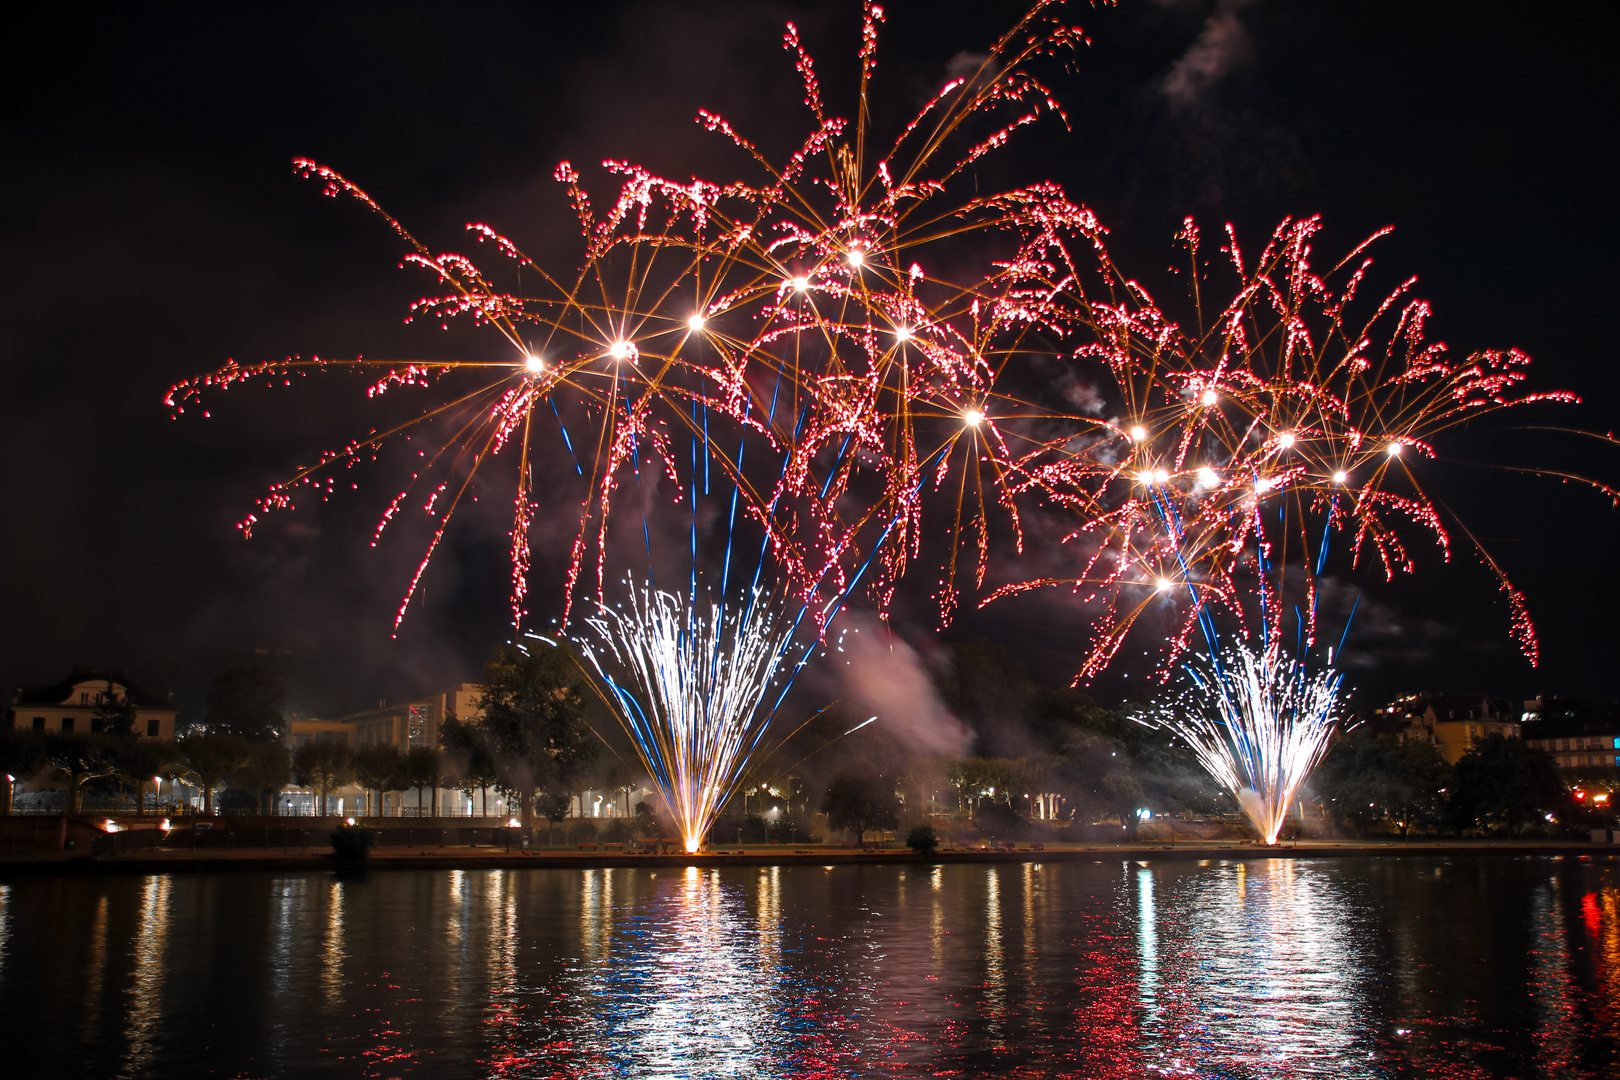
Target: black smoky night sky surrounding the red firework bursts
pixel 151 229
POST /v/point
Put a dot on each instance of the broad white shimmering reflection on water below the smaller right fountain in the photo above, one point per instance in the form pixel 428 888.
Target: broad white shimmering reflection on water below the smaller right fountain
pixel 1253 967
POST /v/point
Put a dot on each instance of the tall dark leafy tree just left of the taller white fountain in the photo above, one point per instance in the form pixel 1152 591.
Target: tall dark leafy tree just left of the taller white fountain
pixel 534 707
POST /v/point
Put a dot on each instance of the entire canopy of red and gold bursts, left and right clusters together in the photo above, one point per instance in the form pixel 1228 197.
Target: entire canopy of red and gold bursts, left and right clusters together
pixel 902 417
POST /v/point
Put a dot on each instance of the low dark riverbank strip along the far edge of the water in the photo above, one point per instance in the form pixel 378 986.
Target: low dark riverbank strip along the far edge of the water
pixel 174 862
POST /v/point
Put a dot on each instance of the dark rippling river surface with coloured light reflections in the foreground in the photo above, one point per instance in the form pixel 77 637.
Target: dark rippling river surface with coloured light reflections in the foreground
pixel 1357 967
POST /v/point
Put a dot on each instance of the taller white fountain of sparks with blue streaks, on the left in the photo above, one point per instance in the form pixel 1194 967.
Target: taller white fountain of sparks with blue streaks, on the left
pixel 691 691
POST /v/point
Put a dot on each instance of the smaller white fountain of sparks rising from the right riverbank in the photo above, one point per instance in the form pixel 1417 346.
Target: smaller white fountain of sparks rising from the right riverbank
pixel 1260 725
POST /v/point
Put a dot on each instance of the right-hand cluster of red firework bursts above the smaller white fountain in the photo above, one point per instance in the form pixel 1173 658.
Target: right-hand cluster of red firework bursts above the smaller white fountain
pixel 1255 435
